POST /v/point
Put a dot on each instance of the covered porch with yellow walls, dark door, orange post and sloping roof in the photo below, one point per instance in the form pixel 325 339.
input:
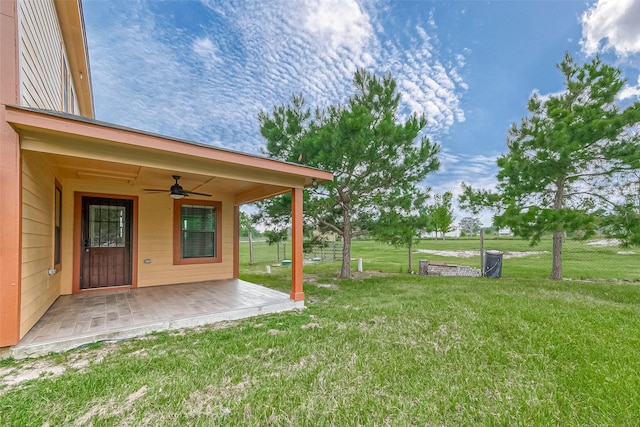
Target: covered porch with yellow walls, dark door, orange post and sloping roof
pixel 101 209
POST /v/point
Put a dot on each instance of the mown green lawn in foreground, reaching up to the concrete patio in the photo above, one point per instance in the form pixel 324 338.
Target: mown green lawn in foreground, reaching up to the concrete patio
pixel 391 349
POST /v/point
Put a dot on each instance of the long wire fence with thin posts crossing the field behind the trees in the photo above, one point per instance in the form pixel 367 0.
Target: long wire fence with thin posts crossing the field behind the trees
pixel 597 258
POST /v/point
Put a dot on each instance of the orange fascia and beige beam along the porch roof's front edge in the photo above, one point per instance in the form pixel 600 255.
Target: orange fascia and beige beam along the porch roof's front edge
pixel 64 134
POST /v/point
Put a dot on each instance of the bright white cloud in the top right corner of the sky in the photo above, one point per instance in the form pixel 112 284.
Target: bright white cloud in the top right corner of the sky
pixel 614 25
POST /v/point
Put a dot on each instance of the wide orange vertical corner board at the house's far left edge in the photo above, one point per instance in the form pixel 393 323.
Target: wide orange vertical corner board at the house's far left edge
pixel 10 181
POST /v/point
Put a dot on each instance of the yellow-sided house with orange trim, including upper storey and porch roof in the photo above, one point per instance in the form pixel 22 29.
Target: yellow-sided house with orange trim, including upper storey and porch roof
pixel 75 211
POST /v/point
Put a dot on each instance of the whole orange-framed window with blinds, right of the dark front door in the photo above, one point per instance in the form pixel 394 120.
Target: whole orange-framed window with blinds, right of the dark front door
pixel 196 234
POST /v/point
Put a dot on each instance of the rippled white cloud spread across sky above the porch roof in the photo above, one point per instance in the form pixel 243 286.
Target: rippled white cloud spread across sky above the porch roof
pixel 208 82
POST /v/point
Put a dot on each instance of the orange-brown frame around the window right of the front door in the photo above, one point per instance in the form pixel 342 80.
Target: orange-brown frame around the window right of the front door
pixel 177 232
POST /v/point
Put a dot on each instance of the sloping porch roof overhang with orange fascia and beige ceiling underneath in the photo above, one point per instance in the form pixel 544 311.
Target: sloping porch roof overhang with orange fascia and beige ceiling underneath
pixel 81 148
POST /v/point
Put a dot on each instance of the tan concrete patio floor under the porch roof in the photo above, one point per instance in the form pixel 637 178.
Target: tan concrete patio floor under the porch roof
pixel 75 320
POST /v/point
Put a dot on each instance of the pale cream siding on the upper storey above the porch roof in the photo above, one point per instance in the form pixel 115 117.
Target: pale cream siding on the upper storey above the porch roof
pixel 41 55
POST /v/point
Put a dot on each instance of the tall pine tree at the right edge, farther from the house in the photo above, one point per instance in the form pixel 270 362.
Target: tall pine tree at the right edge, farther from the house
pixel 565 159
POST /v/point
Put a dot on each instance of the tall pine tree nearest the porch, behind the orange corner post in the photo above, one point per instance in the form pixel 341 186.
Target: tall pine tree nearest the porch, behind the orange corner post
pixel 379 161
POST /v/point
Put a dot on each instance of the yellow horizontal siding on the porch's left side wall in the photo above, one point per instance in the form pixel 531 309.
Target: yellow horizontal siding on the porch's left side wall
pixel 39 290
